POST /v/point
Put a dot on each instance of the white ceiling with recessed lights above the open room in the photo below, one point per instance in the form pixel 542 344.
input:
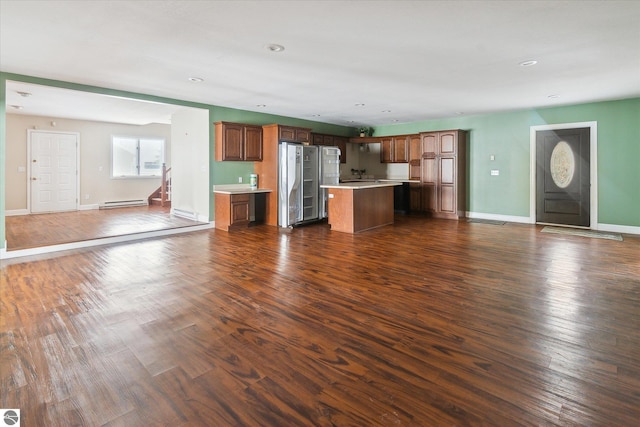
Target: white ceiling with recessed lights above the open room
pixel 406 61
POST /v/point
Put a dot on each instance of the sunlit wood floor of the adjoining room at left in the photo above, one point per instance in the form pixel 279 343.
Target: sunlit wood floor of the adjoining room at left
pixel 30 231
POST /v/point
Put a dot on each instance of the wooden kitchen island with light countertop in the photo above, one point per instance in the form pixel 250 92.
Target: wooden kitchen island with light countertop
pixel 359 206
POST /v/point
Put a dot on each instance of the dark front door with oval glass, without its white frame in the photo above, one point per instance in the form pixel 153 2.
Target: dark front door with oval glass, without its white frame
pixel 562 177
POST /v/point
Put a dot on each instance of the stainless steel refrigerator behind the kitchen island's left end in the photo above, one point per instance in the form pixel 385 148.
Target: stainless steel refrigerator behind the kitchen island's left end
pixel 301 170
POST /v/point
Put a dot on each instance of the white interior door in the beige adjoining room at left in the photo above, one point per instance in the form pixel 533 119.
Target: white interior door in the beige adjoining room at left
pixel 54 171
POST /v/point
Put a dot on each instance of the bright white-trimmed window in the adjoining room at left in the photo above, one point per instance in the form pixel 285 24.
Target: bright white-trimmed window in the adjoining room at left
pixel 133 157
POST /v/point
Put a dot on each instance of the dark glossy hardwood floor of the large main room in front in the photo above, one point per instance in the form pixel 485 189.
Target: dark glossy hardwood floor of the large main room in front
pixel 423 323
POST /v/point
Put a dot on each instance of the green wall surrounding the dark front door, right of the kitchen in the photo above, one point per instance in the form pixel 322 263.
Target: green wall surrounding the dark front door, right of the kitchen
pixel 506 136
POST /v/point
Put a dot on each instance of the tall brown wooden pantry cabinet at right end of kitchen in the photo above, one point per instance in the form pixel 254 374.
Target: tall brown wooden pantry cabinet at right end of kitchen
pixel 444 173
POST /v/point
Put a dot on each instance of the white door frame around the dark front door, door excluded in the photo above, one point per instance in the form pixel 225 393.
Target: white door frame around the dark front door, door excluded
pixel 593 161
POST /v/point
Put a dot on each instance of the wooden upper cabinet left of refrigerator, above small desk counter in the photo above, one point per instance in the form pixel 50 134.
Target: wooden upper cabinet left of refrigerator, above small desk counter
pixel 238 142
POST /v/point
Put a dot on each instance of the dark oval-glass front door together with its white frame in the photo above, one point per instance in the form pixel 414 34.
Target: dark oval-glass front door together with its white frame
pixel 559 173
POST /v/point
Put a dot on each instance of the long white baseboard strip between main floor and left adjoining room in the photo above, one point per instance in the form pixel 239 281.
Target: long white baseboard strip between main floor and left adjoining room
pixel 5 254
